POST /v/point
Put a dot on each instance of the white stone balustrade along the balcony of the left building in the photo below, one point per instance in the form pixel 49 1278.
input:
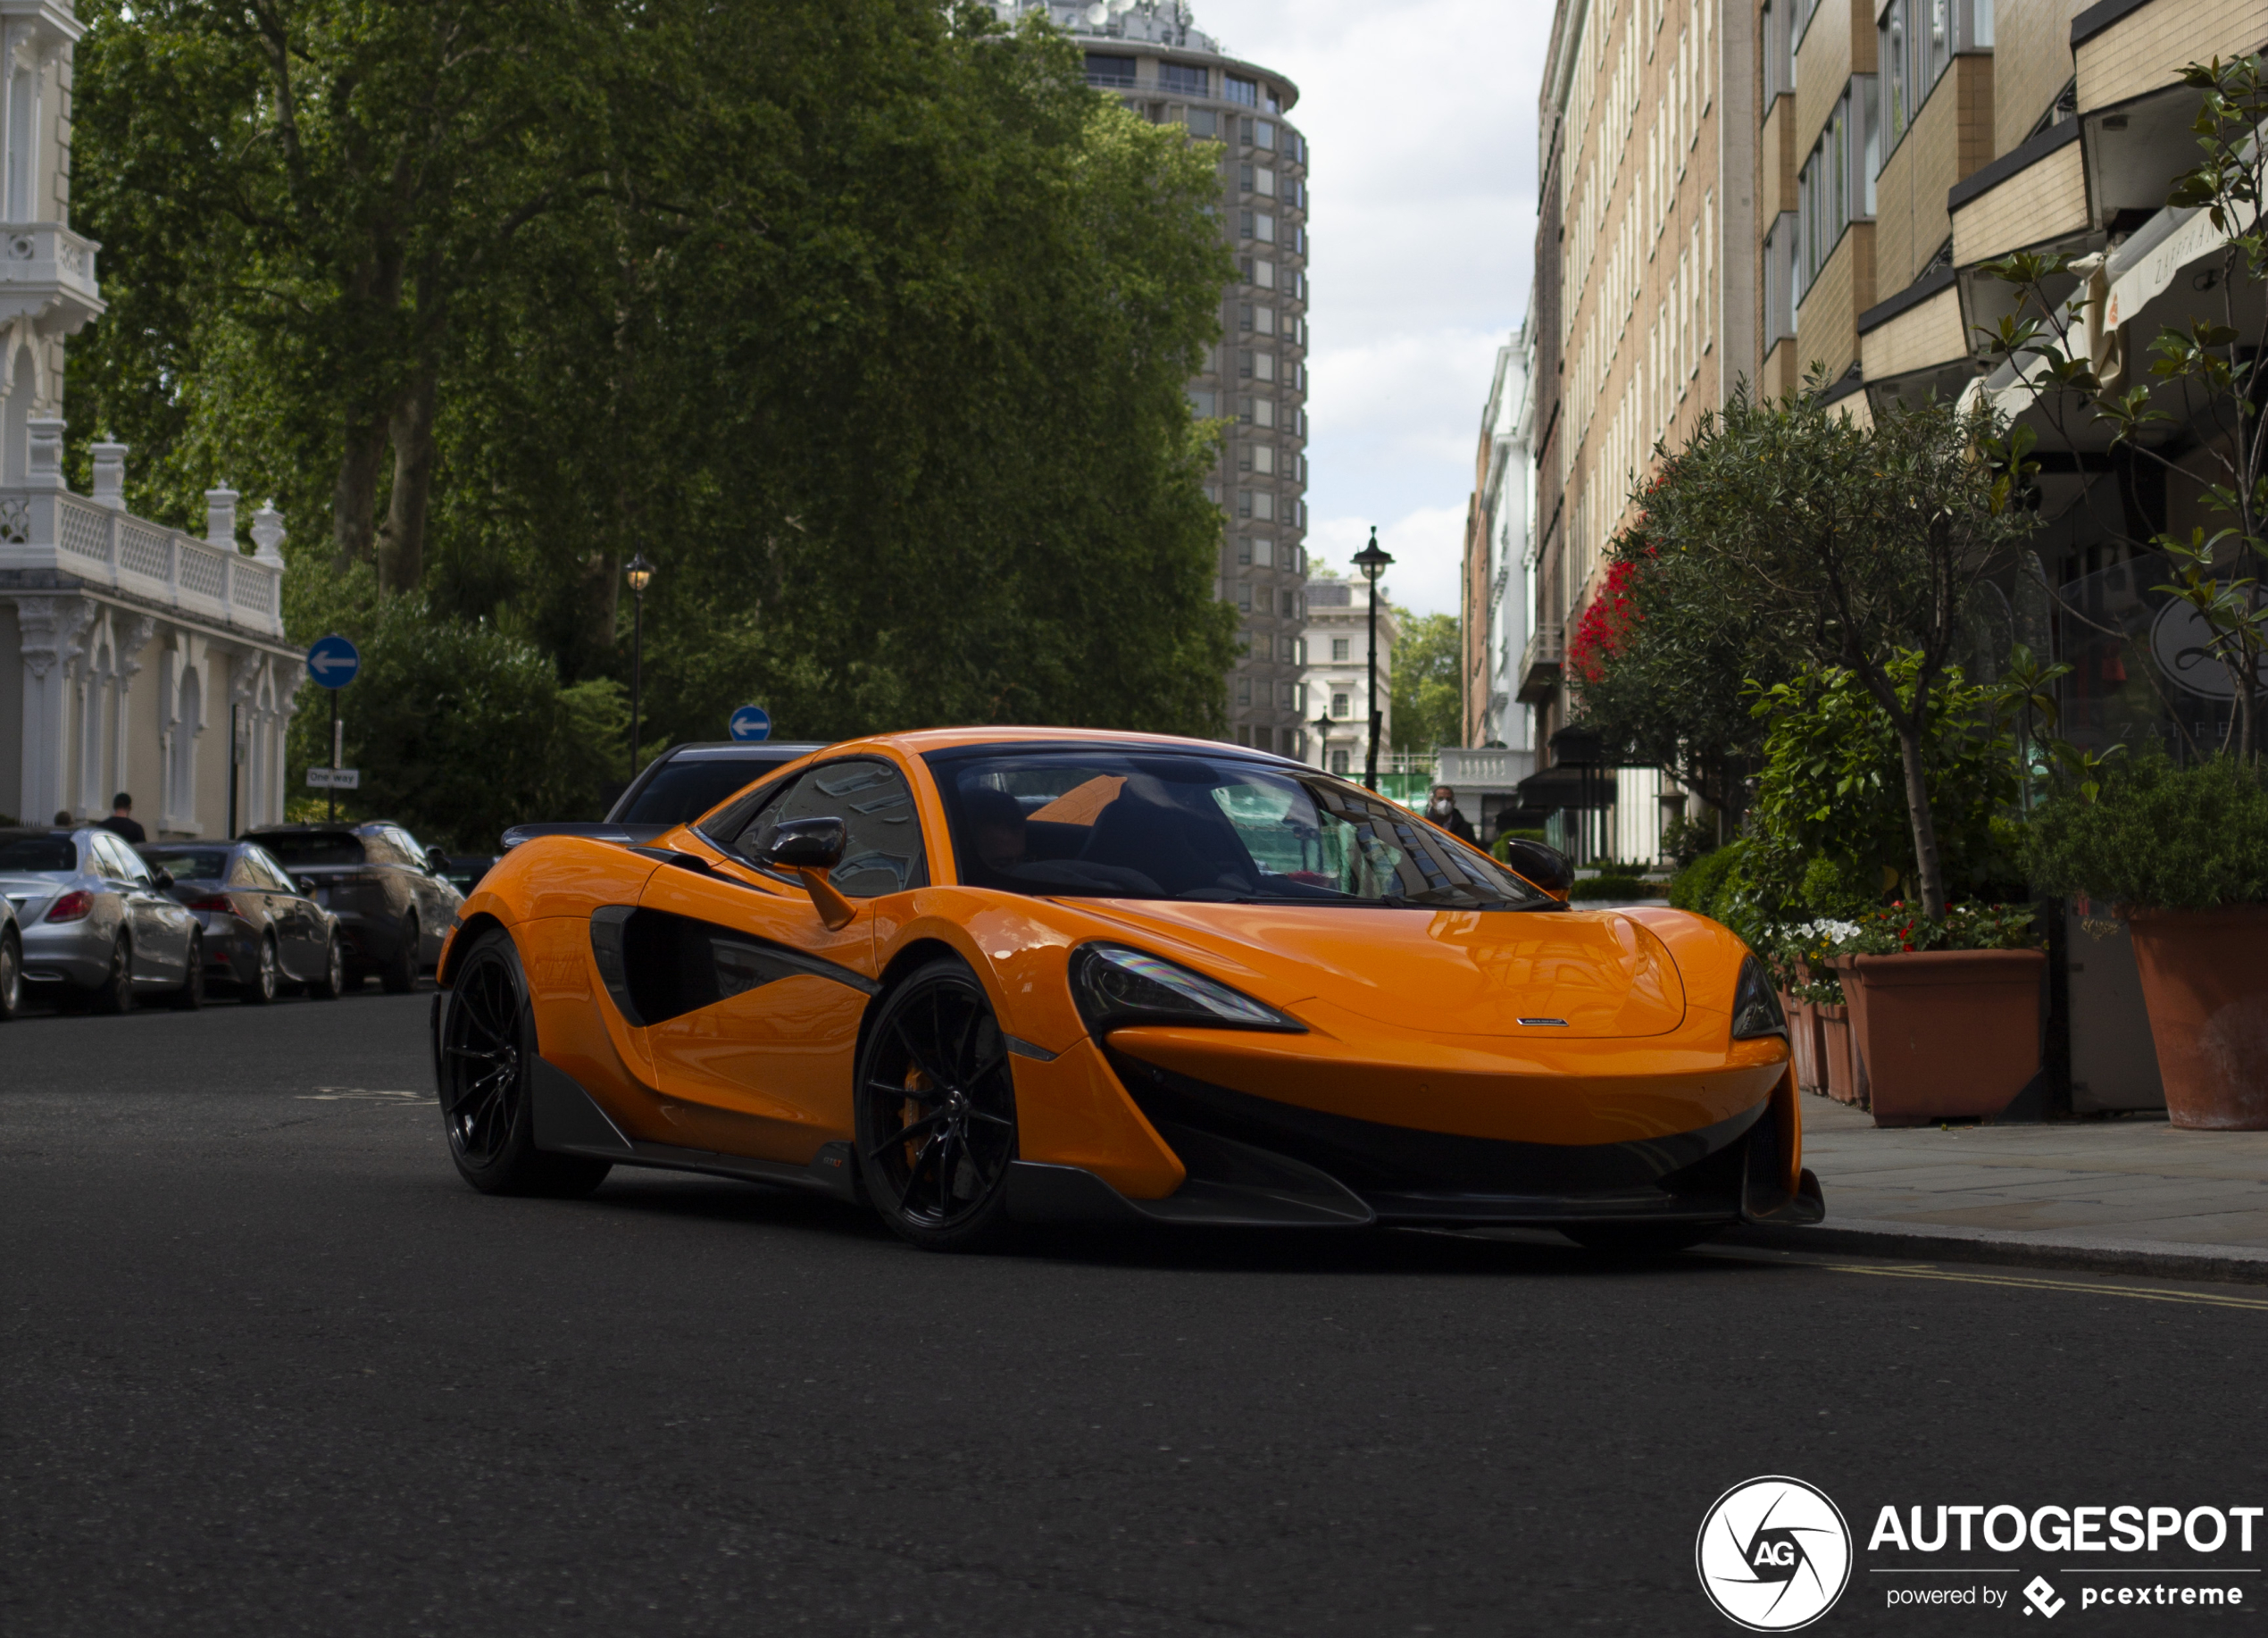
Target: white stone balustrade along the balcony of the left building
pixel 53 530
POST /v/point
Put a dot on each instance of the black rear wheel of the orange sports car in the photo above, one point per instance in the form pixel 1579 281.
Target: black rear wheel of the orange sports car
pixel 486 1095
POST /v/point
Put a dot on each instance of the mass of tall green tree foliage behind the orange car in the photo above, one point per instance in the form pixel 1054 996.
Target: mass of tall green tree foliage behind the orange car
pixel 865 321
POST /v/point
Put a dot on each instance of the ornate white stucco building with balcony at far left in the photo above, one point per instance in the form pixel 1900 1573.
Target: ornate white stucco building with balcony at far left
pixel 133 657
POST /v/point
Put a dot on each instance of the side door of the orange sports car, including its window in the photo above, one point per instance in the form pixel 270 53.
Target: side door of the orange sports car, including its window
pixel 763 1031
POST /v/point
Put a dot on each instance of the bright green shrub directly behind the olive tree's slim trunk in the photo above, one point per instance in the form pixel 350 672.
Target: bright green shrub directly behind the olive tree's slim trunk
pixel 1831 816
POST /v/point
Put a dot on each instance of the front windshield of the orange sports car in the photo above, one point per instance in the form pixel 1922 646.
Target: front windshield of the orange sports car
pixel 1167 825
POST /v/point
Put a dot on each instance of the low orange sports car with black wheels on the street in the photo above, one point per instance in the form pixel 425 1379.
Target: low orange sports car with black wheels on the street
pixel 995 977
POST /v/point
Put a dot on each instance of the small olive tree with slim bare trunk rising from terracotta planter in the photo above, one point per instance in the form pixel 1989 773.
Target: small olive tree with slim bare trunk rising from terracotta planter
pixel 1859 546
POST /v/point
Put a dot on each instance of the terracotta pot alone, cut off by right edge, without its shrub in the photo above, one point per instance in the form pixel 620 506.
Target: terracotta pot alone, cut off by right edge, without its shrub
pixel 2206 983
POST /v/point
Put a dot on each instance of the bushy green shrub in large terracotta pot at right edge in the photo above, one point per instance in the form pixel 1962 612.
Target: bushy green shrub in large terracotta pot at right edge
pixel 2181 854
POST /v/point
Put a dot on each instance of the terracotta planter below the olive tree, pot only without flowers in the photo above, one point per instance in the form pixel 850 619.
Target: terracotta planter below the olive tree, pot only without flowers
pixel 1945 1033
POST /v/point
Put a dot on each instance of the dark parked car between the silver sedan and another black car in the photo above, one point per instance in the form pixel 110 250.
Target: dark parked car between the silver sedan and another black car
pixel 260 929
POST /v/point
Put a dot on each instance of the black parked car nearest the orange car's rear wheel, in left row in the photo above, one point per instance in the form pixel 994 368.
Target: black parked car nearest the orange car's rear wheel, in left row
pixel 387 893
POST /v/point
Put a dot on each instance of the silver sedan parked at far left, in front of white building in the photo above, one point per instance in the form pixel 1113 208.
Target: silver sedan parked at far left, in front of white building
pixel 96 922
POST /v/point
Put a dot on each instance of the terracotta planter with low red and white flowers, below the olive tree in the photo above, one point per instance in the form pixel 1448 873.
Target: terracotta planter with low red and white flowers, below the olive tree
pixel 1945 1011
